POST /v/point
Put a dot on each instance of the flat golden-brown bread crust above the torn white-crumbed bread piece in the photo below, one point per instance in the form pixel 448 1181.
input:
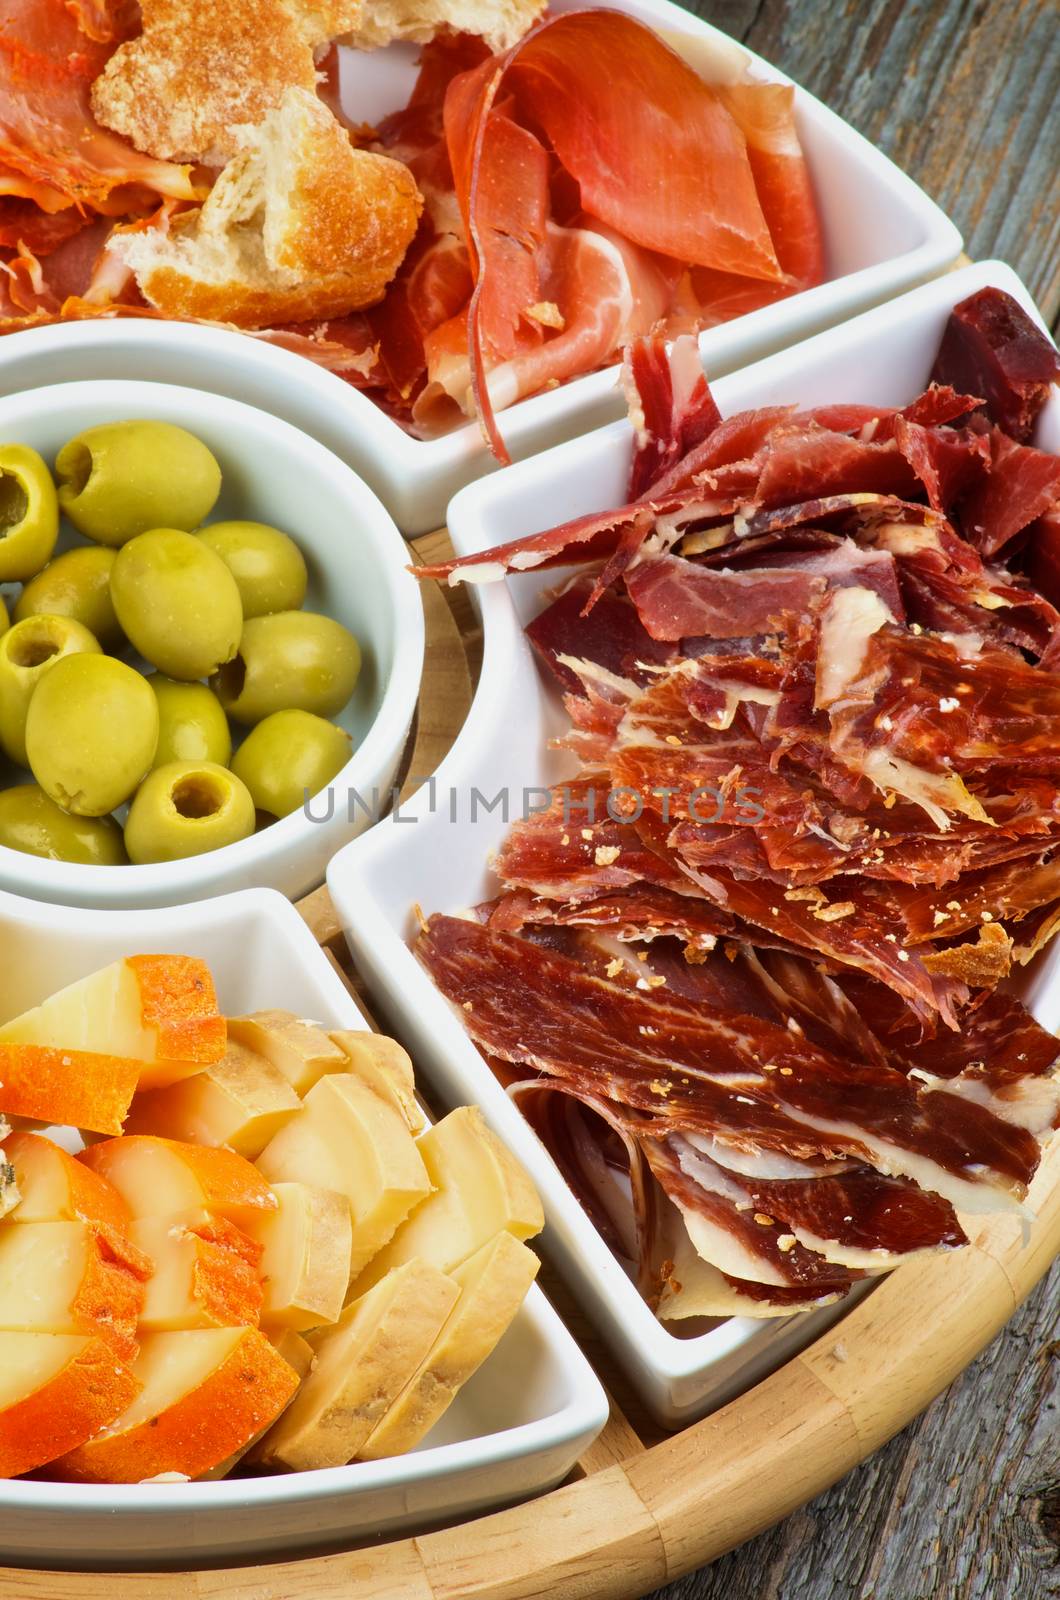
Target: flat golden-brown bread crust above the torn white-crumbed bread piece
pixel 204 68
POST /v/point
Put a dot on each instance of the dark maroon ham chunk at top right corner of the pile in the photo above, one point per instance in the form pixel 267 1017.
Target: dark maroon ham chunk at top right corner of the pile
pixel 992 348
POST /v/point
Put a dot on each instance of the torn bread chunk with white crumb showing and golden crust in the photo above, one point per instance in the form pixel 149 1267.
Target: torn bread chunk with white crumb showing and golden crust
pixel 299 226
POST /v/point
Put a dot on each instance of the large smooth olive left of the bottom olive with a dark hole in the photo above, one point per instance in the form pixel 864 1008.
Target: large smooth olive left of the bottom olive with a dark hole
pixel 90 734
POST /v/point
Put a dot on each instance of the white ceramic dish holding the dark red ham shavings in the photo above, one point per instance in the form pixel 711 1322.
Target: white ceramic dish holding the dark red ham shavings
pixel 441 863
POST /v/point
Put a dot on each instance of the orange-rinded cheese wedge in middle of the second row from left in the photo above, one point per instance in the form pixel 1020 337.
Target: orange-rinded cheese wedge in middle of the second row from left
pixel 206 1274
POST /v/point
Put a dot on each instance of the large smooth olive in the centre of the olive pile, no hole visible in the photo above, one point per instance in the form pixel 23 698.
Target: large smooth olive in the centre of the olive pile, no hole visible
pixel 177 602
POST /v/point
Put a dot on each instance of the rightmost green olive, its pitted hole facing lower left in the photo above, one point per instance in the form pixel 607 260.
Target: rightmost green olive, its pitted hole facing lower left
pixel 291 662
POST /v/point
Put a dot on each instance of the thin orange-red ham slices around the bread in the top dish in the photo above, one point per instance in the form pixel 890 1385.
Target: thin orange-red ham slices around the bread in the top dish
pixel 582 190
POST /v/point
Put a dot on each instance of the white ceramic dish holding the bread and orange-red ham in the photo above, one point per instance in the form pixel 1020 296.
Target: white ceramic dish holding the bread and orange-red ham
pixel 883 236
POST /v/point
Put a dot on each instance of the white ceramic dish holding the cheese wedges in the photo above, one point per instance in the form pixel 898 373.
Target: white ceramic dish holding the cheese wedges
pixel 515 1431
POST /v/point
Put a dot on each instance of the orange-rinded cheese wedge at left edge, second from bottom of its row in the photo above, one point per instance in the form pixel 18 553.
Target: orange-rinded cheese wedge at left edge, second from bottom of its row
pixel 71 1278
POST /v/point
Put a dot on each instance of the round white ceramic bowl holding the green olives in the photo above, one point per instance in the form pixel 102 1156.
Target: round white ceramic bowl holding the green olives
pixel 358 572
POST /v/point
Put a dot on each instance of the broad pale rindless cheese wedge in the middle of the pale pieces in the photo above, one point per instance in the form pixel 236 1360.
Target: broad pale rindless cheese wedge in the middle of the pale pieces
pixel 351 1142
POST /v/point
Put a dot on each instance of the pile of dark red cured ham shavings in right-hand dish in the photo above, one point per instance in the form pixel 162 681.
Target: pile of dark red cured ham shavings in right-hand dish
pixel 813 668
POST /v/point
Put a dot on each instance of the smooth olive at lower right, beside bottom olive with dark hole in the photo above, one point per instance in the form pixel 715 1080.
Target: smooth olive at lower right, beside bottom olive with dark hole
pixel 291 756
